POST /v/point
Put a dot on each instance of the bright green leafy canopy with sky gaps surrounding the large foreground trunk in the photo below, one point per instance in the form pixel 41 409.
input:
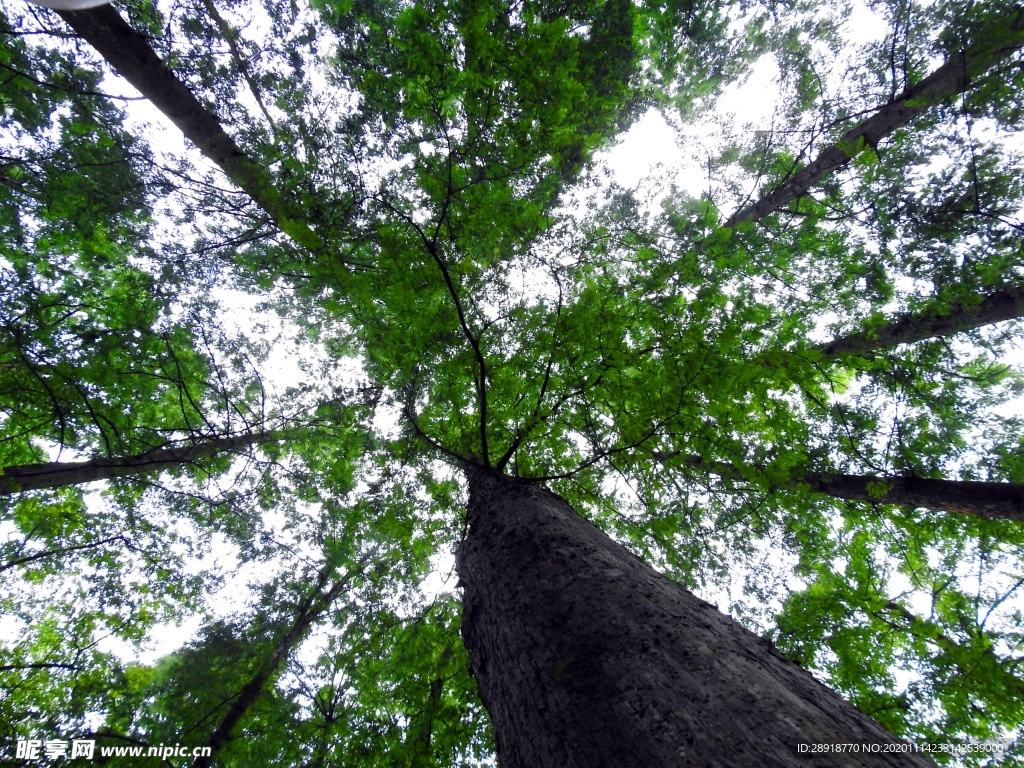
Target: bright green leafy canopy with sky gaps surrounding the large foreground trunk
pixel 785 370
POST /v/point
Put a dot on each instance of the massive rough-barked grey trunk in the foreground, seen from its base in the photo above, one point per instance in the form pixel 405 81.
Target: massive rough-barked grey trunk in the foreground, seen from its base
pixel 586 657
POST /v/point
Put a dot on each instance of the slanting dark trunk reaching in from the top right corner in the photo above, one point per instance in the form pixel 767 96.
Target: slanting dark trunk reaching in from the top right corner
pixel 953 78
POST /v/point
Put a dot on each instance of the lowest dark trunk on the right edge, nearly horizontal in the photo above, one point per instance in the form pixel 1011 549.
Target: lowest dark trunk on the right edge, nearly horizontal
pixel 998 501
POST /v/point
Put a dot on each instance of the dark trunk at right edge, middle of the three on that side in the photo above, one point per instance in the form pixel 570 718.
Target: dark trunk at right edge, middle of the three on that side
pixel 996 307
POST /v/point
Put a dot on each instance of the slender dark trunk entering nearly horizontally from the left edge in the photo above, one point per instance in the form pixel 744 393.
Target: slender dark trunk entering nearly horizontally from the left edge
pixel 60 475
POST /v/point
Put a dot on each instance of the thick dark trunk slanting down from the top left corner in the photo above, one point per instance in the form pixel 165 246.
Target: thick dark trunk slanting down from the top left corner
pixel 132 57
